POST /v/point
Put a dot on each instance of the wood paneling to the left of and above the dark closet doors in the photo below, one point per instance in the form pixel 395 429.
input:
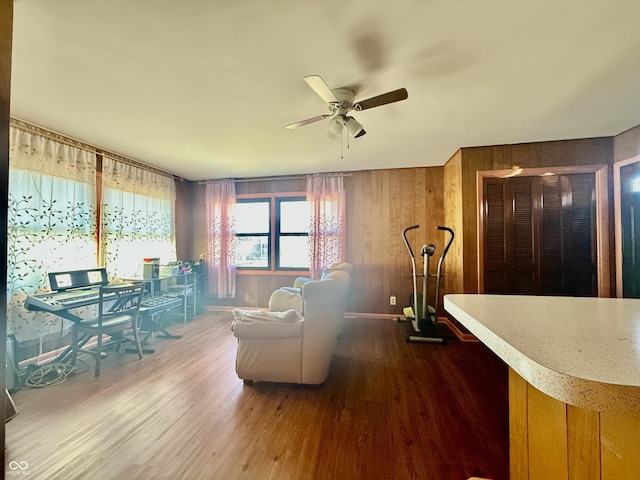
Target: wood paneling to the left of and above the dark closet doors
pixel 466 162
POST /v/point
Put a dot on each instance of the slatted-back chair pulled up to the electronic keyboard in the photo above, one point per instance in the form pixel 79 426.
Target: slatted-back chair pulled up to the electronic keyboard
pixel 118 308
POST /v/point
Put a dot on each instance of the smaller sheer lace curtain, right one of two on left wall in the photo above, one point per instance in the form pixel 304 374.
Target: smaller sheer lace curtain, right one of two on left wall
pixel 137 218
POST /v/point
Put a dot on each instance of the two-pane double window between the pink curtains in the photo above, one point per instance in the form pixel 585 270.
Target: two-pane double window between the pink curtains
pixel 272 233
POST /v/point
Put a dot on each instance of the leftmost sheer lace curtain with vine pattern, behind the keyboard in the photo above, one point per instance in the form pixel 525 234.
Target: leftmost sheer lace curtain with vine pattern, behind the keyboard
pixel 51 223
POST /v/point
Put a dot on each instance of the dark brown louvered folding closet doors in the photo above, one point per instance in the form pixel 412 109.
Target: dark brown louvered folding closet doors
pixel 539 235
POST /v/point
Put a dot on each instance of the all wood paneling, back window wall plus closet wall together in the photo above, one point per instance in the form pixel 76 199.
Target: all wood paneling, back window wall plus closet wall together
pixel 381 203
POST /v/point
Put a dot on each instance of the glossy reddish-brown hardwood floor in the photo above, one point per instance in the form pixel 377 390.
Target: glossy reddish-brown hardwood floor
pixel 389 410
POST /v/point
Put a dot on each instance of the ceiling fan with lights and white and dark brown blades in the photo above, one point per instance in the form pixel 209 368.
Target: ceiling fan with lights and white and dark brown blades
pixel 341 101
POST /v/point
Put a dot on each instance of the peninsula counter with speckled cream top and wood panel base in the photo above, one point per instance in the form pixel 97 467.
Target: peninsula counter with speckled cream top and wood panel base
pixel 574 380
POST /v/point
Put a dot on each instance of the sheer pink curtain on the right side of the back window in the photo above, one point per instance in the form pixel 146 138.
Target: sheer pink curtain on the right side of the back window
pixel 327 199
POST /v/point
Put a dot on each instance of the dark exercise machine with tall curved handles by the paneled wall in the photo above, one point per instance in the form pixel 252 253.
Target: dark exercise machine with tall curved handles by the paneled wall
pixel 423 317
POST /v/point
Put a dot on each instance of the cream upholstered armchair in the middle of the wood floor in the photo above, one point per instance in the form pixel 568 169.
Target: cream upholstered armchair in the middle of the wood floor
pixel 295 341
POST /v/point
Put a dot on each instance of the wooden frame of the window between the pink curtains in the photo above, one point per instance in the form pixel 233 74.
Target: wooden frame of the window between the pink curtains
pixel 274 233
